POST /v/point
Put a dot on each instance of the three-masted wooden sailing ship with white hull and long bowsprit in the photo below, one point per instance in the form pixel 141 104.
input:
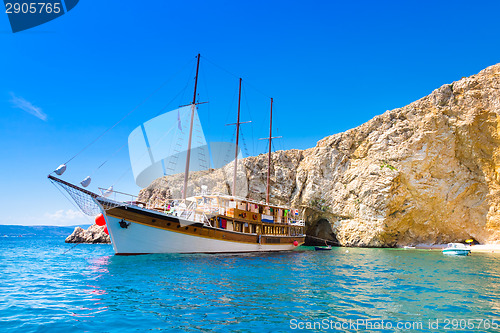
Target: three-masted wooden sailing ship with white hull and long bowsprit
pixel 203 223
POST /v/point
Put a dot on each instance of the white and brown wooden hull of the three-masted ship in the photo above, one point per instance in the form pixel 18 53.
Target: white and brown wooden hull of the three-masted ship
pixel 140 231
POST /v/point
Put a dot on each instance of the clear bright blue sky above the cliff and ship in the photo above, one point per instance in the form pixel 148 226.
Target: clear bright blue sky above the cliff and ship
pixel 329 65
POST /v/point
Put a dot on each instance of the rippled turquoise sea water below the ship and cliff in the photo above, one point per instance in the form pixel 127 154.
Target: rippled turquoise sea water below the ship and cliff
pixel 89 289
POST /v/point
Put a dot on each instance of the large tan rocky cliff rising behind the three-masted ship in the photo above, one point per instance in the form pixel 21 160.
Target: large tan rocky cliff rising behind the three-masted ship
pixel 424 173
